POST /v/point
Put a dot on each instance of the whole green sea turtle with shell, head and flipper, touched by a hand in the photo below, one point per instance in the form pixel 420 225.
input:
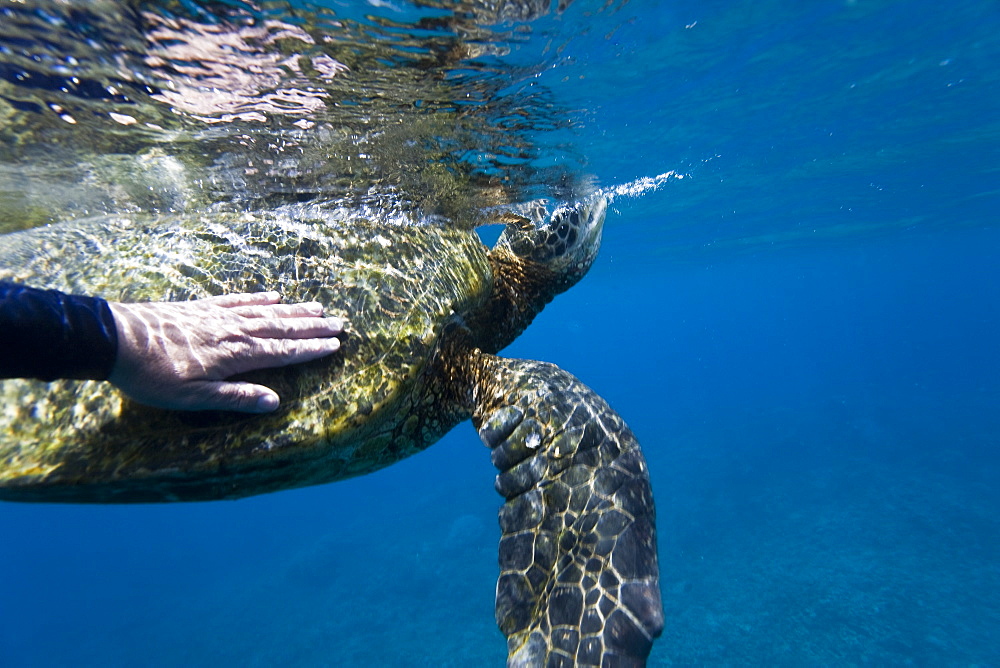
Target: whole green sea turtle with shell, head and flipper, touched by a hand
pixel 429 307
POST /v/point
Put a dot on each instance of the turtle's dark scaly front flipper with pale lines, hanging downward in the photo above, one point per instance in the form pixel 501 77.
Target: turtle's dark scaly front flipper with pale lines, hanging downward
pixel 579 582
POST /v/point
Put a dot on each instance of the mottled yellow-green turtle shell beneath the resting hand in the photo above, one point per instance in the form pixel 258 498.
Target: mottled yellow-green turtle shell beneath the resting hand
pixel 367 407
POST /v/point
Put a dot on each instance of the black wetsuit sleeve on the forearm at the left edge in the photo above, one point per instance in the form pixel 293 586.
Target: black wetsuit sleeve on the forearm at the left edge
pixel 47 334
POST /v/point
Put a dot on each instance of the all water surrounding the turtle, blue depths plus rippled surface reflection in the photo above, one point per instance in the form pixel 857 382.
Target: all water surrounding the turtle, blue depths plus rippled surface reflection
pixel 796 308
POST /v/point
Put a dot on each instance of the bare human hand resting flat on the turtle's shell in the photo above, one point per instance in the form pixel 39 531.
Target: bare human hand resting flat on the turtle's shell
pixel 177 355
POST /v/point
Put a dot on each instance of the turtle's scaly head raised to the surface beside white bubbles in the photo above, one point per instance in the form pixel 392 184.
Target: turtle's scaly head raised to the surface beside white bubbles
pixel 562 246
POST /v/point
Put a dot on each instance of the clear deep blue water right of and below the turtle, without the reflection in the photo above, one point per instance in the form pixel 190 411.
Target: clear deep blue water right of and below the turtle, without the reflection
pixel 801 331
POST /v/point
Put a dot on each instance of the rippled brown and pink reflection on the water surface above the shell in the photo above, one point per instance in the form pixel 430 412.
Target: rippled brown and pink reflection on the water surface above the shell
pixel 175 106
